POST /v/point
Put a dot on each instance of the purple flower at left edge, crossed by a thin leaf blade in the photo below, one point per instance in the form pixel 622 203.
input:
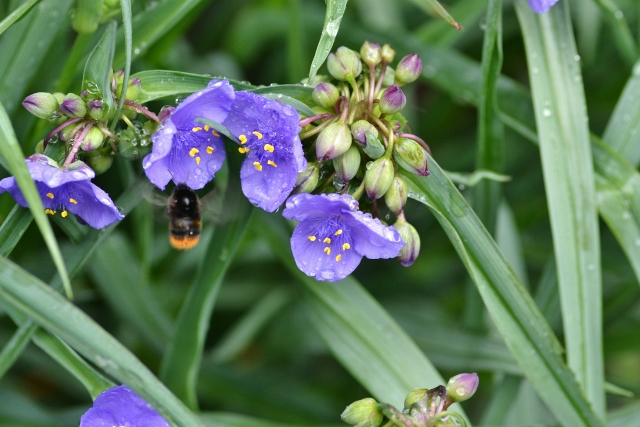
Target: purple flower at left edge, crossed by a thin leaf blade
pixel 68 190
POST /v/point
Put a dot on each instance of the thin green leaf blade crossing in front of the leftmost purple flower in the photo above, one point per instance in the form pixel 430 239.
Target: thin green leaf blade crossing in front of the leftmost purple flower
pixel 11 152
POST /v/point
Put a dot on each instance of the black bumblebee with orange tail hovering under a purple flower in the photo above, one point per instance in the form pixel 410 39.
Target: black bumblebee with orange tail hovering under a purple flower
pixel 185 225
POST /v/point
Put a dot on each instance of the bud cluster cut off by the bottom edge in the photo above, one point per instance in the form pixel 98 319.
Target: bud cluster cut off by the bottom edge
pixel 422 407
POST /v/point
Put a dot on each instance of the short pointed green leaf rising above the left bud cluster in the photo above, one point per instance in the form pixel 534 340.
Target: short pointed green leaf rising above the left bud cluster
pixel 97 72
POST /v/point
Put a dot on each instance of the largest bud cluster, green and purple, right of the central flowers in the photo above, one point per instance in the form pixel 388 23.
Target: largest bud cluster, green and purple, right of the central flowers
pixel 360 135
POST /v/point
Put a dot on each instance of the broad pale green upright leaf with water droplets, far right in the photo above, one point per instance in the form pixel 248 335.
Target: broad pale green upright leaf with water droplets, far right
pixel 561 118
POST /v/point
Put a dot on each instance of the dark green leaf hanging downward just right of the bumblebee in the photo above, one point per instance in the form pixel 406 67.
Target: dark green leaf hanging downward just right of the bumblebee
pixel 179 369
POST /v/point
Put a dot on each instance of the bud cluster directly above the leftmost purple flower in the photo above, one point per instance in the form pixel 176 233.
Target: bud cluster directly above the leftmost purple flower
pixel 82 124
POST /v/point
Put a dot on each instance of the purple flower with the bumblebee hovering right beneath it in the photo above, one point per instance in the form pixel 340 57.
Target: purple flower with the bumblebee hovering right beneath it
pixel 184 150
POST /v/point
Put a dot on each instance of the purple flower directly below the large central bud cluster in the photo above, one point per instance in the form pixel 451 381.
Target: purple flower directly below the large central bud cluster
pixel 333 235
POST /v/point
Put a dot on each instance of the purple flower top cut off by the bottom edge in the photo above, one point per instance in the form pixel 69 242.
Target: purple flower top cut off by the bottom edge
pixel 120 406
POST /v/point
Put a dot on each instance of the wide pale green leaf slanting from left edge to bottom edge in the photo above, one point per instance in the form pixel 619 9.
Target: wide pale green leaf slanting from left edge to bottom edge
pixel 23 292
